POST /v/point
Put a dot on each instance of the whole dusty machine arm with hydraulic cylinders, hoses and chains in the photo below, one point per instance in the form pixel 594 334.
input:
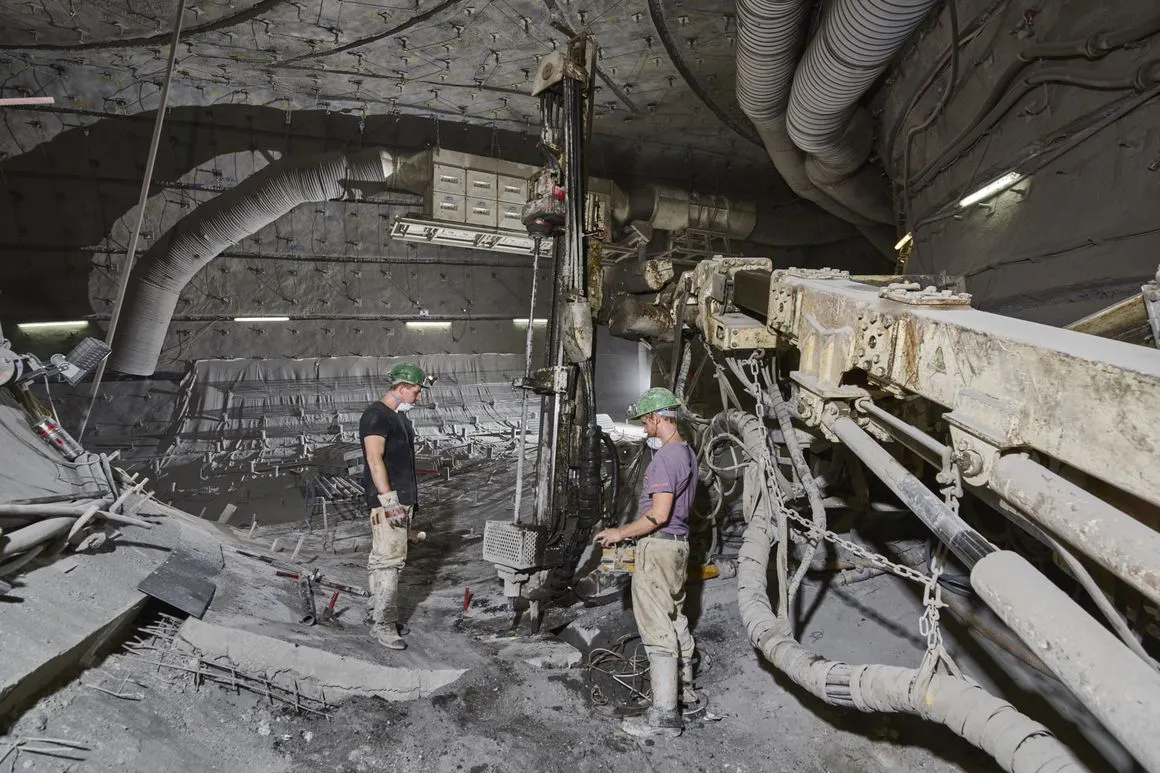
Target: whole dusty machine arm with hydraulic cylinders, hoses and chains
pixel 1025 456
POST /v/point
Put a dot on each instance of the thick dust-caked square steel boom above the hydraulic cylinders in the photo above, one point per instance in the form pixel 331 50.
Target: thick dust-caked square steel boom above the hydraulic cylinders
pixel 1087 402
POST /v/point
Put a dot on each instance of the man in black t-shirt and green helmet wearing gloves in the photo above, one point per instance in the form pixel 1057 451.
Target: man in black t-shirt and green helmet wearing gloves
pixel 393 489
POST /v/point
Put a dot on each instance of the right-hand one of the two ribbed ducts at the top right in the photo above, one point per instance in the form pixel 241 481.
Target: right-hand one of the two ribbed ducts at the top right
pixel 857 42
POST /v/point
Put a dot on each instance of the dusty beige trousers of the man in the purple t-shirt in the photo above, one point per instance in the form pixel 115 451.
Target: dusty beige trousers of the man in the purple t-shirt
pixel 658 597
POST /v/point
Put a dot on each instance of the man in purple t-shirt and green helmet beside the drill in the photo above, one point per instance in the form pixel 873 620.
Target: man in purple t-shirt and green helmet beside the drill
pixel 662 531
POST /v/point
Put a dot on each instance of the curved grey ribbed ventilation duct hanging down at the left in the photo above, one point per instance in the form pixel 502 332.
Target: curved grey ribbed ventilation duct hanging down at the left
pixel 265 197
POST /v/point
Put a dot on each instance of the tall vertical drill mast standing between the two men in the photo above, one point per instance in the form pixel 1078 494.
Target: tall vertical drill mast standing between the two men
pixel 548 541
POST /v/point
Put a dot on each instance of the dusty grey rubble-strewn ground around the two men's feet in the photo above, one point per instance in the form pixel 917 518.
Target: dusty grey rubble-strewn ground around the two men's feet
pixel 504 714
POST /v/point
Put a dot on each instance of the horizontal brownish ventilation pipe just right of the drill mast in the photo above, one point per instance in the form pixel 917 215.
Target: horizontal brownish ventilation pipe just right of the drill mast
pixel 672 209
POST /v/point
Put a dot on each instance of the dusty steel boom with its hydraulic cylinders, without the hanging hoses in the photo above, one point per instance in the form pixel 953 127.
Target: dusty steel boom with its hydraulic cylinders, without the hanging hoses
pixel 1054 427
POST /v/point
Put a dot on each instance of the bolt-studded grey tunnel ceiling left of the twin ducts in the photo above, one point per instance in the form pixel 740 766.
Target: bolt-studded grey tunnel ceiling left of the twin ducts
pixel 665 68
